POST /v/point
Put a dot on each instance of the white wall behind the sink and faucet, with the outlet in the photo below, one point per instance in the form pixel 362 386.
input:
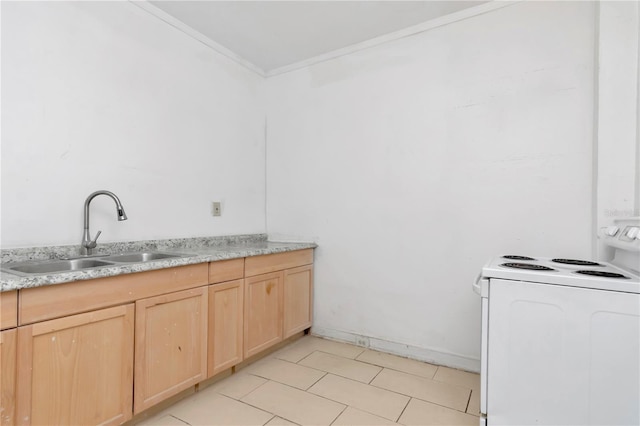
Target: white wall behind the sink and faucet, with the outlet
pixel 103 95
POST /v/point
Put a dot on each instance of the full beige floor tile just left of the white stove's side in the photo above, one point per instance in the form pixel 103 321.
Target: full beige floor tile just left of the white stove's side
pixel 446 394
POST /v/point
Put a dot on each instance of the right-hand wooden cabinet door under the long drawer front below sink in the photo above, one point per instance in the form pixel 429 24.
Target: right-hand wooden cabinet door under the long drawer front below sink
pixel 171 345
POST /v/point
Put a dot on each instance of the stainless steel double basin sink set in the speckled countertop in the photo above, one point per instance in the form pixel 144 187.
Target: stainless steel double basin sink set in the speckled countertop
pixel 67 265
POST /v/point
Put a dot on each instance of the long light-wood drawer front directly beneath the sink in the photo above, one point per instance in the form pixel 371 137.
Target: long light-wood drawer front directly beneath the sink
pixel 54 301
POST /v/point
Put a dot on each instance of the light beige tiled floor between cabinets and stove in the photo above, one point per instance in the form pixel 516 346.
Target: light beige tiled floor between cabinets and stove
pixel 315 381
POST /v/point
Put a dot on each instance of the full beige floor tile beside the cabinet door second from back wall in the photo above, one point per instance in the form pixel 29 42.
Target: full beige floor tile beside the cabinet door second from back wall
pixel 285 372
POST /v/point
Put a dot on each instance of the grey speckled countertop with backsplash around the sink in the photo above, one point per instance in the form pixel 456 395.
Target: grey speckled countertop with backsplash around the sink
pixel 196 250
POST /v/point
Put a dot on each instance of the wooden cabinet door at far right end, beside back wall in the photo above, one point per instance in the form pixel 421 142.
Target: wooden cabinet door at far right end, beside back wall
pixel 298 299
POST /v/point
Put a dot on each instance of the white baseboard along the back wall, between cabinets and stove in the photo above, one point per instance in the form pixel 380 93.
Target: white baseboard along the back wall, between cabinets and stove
pixel 460 362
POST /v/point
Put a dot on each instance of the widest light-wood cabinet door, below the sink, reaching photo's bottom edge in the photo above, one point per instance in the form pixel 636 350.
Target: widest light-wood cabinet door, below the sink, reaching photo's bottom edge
pixel 77 369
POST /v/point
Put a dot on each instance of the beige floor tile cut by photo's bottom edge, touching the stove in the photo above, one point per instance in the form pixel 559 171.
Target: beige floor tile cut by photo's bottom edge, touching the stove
pixel 426 414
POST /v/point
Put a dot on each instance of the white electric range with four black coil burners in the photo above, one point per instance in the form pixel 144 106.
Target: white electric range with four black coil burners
pixel 561 337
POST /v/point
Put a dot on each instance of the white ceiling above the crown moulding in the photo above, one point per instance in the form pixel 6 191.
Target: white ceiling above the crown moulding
pixel 275 34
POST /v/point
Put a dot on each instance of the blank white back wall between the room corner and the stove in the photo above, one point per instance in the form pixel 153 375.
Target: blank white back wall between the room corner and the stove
pixel 414 162
